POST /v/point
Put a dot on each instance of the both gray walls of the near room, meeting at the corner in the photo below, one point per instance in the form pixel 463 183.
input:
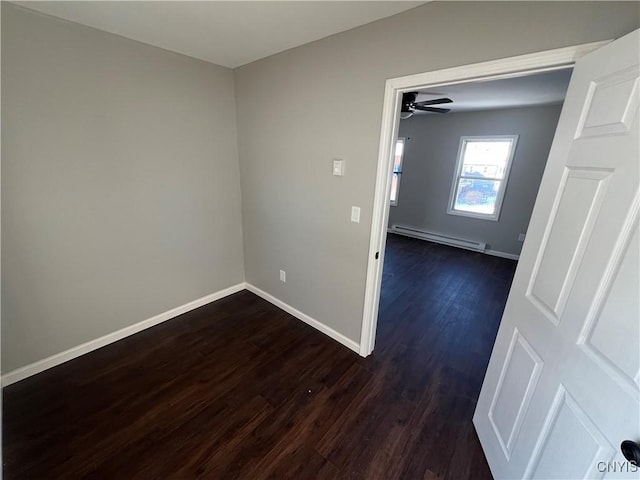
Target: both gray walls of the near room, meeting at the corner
pixel 120 182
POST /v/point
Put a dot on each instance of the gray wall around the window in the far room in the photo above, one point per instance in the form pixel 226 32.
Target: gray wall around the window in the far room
pixel 430 161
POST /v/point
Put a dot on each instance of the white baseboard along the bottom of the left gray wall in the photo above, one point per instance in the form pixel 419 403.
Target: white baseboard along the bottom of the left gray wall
pixel 74 352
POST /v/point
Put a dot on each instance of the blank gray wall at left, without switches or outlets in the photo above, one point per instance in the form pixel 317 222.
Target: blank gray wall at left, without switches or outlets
pixel 120 184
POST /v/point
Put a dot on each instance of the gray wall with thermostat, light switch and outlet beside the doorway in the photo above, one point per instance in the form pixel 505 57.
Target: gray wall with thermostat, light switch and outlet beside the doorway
pixel 299 109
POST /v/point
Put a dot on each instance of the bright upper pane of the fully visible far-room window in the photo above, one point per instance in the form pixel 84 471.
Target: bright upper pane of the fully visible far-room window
pixel 486 159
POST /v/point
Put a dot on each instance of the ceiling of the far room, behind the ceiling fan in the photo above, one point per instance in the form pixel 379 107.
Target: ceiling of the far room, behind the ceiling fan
pixel 538 89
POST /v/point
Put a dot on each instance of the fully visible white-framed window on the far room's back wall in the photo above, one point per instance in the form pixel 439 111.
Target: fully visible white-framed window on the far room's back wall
pixel 481 176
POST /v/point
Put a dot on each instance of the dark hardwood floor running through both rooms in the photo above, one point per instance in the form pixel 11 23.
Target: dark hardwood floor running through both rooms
pixel 240 389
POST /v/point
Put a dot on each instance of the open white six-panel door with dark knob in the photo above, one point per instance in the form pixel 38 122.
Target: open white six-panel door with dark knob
pixel 562 389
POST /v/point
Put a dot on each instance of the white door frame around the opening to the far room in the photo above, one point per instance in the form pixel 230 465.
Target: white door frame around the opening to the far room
pixel 394 88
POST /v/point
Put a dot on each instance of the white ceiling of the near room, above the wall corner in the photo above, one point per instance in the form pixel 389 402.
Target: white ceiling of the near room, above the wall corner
pixel 228 33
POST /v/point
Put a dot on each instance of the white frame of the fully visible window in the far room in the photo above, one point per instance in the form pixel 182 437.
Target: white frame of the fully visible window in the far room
pixel 457 175
